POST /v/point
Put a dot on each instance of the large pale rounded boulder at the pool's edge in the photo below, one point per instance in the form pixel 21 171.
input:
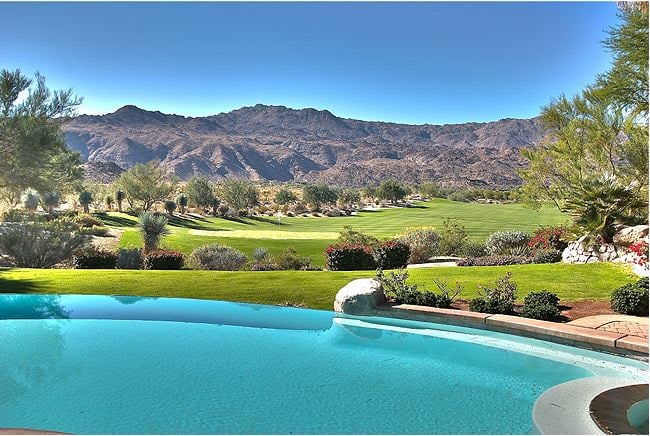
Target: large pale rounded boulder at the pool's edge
pixel 359 297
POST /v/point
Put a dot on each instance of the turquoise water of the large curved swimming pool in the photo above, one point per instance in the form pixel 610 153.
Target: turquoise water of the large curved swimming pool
pixel 97 364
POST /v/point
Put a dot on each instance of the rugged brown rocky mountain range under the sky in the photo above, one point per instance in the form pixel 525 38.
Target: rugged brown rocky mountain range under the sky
pixel 277 143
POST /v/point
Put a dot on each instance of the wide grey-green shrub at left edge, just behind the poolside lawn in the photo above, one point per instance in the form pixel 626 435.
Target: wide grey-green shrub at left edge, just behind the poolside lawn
pixel 39 244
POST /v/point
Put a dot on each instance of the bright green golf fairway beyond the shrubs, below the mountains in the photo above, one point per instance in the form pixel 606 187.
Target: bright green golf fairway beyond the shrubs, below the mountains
pixel 310 236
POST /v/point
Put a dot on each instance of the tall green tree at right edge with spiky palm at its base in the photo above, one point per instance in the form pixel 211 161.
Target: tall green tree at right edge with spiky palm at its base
pixel 593 163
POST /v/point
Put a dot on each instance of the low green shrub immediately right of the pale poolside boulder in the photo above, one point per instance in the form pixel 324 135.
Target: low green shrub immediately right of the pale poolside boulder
pixel 394 286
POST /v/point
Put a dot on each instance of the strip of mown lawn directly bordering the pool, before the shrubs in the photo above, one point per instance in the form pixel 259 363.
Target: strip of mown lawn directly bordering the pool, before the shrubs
pixel 314 289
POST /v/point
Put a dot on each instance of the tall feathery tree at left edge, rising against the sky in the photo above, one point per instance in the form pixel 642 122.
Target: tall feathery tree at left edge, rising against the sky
pixel 33 150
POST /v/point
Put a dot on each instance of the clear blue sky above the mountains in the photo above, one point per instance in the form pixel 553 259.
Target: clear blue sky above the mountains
pixel 405 62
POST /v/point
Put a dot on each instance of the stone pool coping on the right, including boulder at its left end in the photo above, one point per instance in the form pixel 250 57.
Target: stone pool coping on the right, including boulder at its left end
pixel 366 298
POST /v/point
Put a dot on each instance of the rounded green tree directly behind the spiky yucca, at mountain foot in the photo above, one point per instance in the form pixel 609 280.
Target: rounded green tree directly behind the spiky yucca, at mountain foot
pixel 146 184
